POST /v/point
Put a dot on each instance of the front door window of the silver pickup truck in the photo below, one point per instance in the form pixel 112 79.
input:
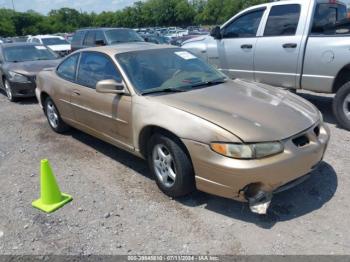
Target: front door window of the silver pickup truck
pixel 245 26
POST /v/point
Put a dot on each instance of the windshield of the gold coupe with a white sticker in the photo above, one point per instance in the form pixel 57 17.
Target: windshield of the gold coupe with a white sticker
pixel 170 69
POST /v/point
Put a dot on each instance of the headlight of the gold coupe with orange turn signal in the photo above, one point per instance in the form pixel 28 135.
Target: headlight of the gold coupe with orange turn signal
pixel 247 151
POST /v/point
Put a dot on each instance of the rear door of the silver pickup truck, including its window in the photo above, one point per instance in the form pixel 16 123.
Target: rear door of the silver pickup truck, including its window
pixel 278 50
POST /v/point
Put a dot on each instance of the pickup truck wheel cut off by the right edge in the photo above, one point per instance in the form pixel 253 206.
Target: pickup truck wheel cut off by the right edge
pixel 341 106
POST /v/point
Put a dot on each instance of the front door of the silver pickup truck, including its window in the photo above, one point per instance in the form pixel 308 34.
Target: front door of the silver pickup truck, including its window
pixel 236 48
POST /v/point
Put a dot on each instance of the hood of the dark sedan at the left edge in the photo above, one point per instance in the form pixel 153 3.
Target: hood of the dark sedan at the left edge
pixel 32 67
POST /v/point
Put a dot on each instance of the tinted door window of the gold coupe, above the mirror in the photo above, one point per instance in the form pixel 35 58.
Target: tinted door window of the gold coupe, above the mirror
pixel 94 67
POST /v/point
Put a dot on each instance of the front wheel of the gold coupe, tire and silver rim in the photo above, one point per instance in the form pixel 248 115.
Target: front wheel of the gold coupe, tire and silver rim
pixel 173 161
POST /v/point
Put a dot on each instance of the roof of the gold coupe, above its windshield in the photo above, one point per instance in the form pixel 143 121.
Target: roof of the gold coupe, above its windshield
pixel 127 47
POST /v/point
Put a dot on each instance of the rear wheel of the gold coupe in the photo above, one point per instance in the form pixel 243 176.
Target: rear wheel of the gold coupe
pixel 53 117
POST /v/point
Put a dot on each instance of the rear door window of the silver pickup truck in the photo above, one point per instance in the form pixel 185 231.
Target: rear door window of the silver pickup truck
pixel 283 20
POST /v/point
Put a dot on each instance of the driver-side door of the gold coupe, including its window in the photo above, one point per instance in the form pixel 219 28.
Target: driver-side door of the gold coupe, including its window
pixel 107 115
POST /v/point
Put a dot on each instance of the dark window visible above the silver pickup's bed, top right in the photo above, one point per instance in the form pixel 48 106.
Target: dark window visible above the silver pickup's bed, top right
pixel 330 19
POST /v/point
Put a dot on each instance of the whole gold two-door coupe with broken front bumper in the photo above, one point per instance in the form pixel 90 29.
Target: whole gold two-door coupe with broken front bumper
pixel 196 128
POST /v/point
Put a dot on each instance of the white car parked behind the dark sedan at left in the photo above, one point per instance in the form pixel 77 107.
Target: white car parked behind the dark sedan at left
pixel 56 43
